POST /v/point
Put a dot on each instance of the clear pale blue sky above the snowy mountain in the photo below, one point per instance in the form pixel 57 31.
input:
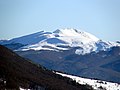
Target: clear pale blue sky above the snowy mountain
pixel 98 17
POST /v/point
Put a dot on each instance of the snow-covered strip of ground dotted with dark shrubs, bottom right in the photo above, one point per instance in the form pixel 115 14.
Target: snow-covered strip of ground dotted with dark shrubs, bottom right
pixel 96 84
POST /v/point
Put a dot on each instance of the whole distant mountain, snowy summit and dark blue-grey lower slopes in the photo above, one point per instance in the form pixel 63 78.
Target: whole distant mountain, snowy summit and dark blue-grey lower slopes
pixel 72 51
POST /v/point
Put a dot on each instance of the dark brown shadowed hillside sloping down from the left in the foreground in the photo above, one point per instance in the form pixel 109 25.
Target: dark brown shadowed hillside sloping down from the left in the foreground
pixel 16 72
